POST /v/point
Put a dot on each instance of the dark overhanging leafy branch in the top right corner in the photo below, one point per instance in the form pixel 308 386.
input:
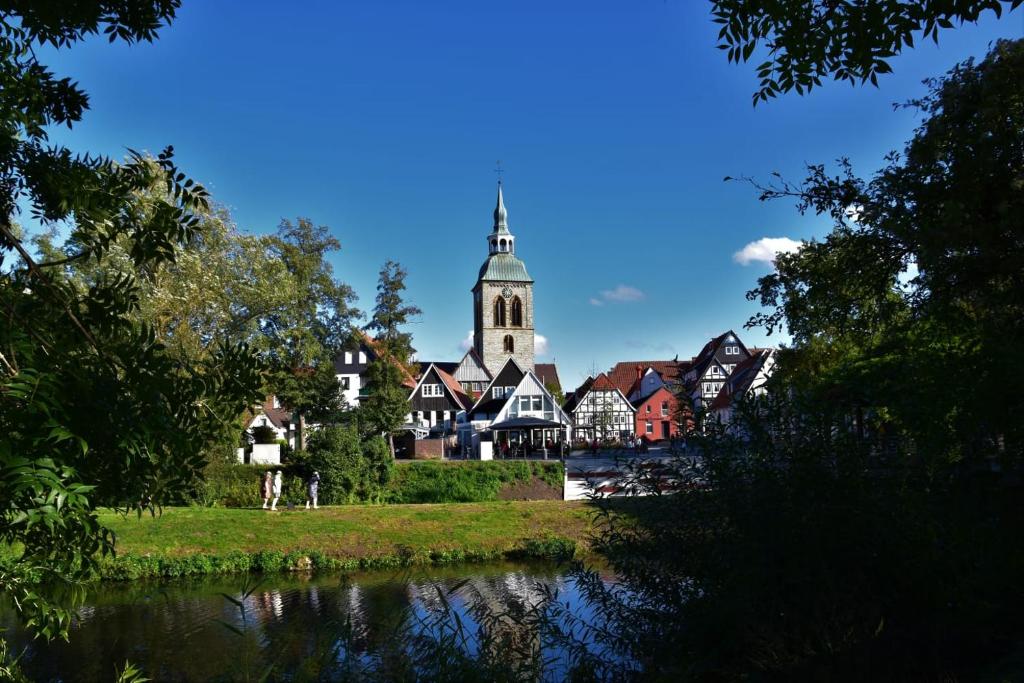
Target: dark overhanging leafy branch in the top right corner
pixel 810 40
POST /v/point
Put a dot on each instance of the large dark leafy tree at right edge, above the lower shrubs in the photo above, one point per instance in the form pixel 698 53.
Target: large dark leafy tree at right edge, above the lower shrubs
pixel 950 206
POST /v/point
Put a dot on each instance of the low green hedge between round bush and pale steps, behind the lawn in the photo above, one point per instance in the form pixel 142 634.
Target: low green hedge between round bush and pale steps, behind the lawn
pixel 465 482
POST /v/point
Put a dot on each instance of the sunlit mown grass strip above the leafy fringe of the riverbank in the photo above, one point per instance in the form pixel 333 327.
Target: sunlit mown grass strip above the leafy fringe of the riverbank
pixel 352 532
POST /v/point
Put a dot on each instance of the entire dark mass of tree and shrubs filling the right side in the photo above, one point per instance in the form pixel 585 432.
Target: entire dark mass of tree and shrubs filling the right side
pixel 863 520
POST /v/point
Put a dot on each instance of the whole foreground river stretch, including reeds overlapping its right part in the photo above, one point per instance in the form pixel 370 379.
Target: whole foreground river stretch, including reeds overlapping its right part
pixel 506 622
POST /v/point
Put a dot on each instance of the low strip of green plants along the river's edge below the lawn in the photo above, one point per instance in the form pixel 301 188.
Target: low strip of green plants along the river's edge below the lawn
pixel 132 568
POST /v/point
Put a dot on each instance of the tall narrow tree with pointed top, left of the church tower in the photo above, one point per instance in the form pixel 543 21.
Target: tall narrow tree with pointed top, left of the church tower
pixel 386 408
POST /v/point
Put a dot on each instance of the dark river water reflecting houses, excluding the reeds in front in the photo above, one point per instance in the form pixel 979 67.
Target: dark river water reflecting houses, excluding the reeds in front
pixel 291 628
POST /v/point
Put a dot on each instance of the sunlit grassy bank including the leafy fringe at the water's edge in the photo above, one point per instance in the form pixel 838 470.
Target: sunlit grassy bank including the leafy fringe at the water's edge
pixel 199 541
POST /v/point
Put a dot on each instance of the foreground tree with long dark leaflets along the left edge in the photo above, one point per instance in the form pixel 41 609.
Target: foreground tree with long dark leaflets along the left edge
pixel 94 409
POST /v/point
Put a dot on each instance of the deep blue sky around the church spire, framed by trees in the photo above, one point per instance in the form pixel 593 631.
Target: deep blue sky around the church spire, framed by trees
pixel 616 123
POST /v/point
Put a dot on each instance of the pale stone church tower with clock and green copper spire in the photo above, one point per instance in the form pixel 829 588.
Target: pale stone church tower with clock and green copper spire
pixel 503 301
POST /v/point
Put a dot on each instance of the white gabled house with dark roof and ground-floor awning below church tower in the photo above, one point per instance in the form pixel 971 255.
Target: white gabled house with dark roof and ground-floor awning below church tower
pixel 515 415
